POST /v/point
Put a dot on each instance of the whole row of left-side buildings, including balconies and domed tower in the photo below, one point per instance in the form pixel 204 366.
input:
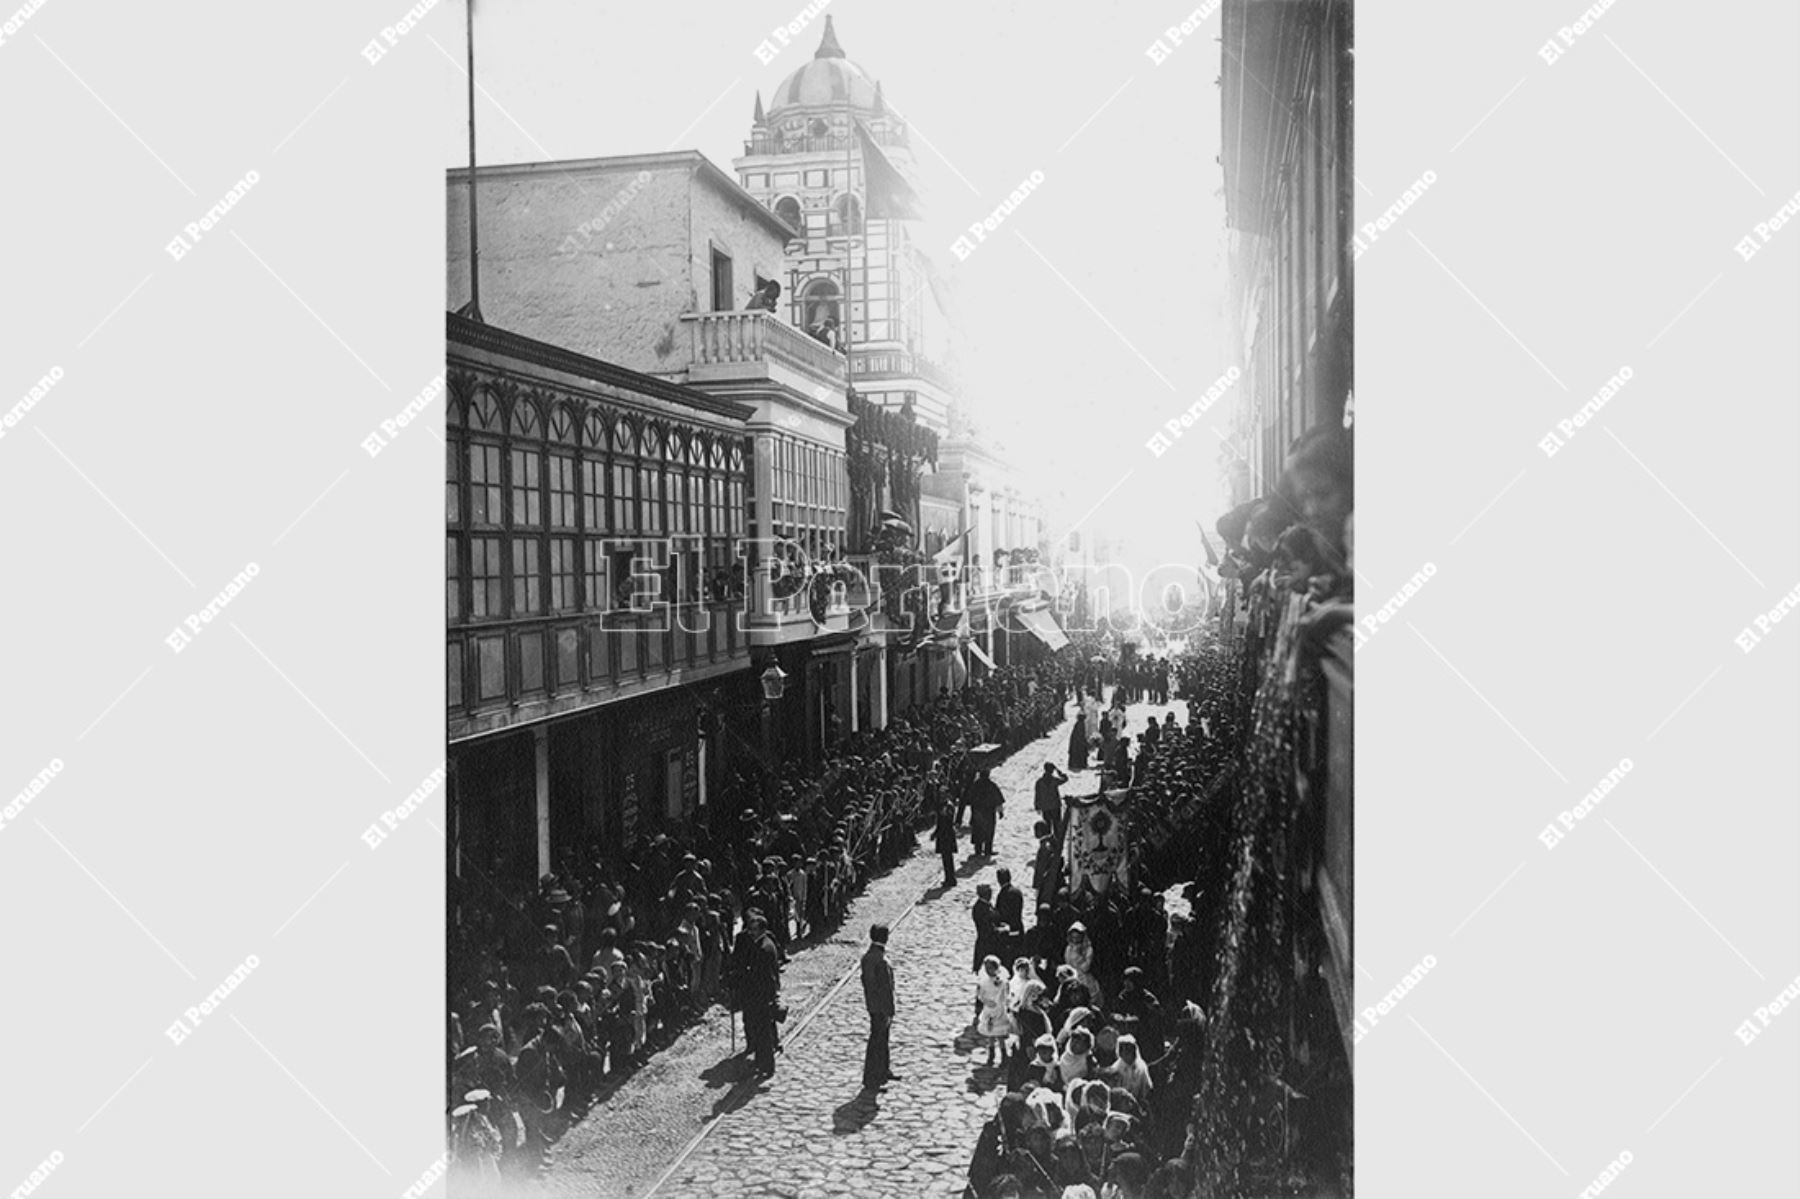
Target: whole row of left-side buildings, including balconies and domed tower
pixel 654 483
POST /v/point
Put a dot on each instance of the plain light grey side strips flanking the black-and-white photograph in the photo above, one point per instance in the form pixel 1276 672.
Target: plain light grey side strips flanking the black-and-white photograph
pixel 1583 609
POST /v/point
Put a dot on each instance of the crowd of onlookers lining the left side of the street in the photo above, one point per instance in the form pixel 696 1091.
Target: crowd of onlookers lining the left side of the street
pixel 559 993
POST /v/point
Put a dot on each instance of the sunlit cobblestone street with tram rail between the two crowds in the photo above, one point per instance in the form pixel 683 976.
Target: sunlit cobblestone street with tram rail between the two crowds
pixel 811 1130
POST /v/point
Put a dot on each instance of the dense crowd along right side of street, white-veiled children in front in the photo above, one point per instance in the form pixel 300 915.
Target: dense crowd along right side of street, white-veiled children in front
pixel 1124 1029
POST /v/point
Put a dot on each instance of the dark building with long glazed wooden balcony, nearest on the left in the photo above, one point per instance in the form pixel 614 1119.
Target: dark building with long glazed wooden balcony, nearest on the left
pixel 595 653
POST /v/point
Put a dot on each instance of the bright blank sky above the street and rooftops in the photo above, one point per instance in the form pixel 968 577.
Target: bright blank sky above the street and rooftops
pixel 1090 320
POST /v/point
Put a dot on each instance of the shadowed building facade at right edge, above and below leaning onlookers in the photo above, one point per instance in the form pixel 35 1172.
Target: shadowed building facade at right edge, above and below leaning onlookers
pixel 1290 208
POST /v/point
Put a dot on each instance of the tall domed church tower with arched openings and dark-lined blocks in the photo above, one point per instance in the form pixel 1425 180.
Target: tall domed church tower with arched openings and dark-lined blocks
pixel 804 163
